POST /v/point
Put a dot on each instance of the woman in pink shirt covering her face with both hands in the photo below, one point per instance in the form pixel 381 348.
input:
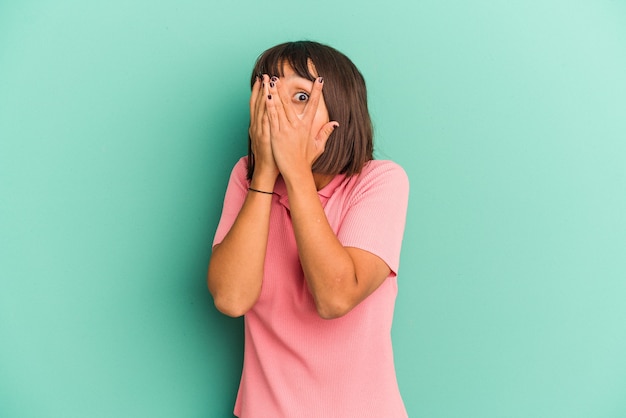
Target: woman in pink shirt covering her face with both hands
pixel 308 245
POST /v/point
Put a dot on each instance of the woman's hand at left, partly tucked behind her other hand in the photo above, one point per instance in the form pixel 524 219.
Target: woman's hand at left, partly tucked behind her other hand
pixel 265 168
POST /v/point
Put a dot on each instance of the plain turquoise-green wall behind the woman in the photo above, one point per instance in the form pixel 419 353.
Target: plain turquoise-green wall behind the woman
pixel 120 122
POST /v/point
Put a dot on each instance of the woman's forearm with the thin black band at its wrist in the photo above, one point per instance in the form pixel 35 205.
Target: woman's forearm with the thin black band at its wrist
pixel 236 267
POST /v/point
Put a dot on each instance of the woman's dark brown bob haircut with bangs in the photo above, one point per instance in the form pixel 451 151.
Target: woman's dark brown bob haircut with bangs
pixel 350 146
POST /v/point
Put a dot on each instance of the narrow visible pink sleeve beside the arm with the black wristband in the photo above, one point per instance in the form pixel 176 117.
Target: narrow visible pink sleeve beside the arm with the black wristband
pixel 233 200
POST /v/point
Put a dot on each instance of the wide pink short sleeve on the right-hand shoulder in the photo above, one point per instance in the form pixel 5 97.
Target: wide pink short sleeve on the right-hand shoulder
pixel 376 212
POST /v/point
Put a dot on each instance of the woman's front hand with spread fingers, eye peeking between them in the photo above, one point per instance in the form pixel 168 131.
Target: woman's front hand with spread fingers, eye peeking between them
pixel 297 140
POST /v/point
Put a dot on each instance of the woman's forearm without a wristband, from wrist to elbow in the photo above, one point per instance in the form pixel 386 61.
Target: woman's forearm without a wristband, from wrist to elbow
pixel 327 265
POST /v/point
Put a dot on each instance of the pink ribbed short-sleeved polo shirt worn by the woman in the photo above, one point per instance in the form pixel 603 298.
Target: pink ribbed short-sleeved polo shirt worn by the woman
pixel 297 364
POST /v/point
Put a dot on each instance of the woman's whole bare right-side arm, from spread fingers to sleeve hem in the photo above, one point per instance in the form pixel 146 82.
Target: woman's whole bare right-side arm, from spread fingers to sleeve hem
pixel 338 277
